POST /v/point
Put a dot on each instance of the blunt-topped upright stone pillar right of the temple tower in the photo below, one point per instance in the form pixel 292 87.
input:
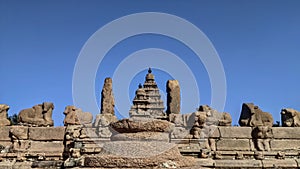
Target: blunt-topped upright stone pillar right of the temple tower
pixel 173 97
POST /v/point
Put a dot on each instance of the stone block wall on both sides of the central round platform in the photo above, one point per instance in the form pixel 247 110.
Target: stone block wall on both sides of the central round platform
pixel 226 147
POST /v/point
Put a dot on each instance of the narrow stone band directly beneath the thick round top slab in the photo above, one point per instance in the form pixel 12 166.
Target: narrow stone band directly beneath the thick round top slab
pixel 141 136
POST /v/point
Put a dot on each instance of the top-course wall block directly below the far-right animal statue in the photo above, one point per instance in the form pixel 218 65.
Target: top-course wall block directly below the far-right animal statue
pixel 286 132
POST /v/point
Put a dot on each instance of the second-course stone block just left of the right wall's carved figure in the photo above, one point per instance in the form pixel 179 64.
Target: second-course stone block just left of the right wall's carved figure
pixel 233 144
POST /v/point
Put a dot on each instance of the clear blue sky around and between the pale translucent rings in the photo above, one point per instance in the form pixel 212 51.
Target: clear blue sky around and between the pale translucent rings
pixel 257 43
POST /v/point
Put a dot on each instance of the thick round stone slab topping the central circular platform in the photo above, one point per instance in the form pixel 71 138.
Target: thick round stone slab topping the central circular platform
pixel 133 125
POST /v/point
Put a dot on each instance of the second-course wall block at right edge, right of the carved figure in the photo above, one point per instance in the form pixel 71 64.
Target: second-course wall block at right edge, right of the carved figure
pixel 279 145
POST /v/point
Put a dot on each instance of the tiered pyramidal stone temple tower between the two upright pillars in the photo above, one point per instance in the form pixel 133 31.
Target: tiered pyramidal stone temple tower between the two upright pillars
pixel 147 101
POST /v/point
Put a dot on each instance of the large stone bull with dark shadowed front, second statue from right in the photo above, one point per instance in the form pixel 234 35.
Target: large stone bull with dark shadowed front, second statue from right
pixel 253 116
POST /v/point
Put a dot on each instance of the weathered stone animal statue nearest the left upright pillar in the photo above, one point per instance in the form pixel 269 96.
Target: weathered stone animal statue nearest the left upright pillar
pixel 75 116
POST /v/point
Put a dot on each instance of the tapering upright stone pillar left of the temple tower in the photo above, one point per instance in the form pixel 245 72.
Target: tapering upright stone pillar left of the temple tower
pixel 107 98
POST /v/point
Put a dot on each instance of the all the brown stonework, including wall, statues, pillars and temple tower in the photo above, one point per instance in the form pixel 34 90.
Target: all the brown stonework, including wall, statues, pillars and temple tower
pixel 152 136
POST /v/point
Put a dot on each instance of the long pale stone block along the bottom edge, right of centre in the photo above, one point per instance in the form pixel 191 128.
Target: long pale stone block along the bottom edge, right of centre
pixel 238 164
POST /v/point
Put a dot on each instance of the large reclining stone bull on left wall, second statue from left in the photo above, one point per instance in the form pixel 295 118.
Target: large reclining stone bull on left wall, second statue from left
pixel 38 115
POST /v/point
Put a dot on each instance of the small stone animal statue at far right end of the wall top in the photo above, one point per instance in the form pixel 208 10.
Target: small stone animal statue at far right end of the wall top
pixel 290 118
